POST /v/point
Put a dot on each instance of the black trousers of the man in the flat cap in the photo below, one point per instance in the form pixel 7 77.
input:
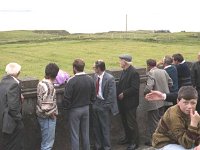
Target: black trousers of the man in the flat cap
pixel 130 125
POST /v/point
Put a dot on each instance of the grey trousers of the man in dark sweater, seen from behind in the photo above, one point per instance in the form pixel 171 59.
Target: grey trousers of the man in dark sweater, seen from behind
pixel 79 120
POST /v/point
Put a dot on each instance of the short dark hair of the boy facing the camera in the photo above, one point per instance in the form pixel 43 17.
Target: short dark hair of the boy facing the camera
pixel 187 93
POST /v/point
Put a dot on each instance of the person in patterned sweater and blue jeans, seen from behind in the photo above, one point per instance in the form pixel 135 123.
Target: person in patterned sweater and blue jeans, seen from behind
pixel 46 107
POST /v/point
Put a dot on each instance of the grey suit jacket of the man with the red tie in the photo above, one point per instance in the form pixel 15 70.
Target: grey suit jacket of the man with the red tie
pixel 109 93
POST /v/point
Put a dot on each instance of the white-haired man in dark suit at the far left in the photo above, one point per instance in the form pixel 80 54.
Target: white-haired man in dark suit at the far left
pixel 11 123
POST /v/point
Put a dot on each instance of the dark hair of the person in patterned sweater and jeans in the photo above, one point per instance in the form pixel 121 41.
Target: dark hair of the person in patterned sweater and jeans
pixel 51 71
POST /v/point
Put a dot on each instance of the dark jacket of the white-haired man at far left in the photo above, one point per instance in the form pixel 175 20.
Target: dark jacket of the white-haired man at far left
pixel 10 104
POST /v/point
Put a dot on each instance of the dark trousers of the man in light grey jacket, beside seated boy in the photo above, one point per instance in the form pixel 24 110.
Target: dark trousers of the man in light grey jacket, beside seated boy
pixel 153 119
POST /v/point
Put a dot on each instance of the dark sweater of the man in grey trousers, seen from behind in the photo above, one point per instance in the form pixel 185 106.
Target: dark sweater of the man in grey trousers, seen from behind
pixel 79 91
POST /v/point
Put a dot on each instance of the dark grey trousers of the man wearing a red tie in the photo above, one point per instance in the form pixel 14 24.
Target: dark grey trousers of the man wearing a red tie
pixel 101 122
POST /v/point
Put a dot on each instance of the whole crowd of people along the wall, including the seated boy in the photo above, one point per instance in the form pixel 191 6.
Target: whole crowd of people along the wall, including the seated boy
pixel 171 92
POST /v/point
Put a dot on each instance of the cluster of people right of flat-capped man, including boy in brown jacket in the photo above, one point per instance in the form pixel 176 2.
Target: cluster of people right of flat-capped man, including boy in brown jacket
pixel 172 94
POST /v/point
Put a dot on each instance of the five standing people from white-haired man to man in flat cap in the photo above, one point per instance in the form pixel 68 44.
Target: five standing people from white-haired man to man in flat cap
pixel 81 91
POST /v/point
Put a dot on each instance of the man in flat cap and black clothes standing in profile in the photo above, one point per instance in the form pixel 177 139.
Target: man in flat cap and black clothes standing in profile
pixel 128 101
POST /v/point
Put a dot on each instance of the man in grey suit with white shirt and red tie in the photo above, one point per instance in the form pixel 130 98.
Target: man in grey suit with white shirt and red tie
pixel 106 102
